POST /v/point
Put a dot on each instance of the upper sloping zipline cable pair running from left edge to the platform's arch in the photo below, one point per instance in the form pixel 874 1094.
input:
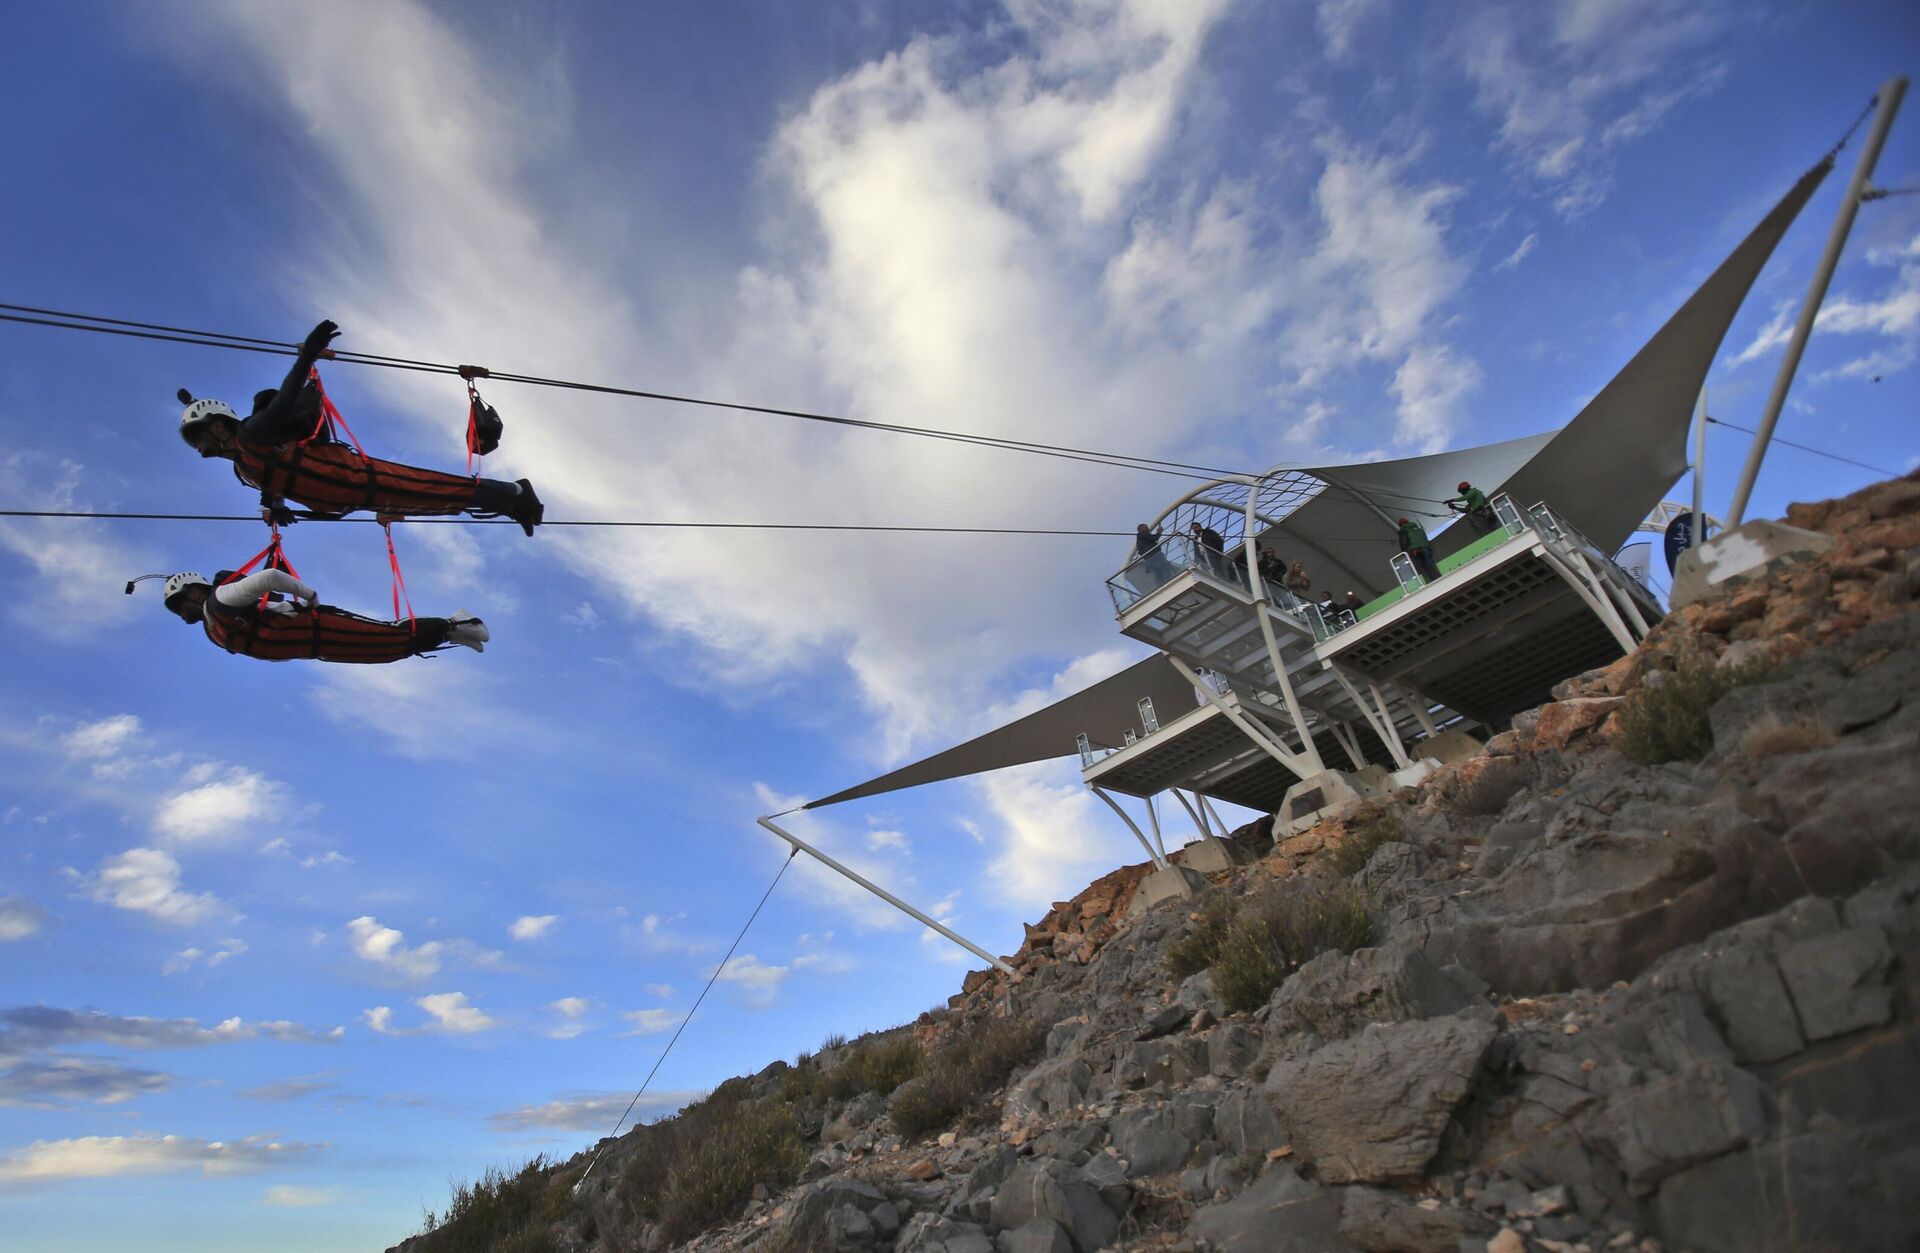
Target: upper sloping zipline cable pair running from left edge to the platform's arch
pixel 60 319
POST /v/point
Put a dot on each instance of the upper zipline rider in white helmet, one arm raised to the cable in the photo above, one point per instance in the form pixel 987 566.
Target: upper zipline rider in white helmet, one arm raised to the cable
pixel 289 452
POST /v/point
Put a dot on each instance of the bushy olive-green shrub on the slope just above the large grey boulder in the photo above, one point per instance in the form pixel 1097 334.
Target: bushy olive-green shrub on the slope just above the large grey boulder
pixel 1280 932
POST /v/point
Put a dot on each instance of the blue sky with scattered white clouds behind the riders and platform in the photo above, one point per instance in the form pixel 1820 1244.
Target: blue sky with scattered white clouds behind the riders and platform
pixel 289 947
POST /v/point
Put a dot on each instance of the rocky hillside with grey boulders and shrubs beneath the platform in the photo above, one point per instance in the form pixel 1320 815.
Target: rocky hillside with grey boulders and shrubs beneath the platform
pixel 1643 976
